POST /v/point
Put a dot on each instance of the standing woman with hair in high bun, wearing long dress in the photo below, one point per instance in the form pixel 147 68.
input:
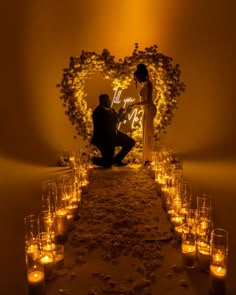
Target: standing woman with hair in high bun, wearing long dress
pixel 141 76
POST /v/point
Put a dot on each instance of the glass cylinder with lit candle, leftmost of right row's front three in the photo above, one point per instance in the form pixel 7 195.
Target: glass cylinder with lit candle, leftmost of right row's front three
pixel 188 247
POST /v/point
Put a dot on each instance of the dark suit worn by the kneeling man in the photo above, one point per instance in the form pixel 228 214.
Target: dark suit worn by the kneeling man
pixel 106 137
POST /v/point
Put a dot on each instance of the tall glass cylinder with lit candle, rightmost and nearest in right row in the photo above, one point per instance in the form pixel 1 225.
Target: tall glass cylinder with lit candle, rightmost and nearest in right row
pixel 218 264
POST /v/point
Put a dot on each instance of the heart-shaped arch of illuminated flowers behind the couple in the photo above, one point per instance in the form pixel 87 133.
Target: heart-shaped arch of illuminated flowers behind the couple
pixel 165 76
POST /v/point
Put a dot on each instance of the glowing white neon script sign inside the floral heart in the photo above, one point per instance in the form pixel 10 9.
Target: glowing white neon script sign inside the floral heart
pixel 135 117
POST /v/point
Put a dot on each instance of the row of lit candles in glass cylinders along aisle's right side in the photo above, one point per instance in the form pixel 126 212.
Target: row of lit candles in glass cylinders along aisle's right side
pixel 203 246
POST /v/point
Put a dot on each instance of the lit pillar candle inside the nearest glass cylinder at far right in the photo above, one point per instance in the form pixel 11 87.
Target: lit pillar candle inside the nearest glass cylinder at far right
pixel 217 280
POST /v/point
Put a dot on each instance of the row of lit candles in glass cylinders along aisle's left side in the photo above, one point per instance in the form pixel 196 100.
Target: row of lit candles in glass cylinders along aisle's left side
pixel 47 231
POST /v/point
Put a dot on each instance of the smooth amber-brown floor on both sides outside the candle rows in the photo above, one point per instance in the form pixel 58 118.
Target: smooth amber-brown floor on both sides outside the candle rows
pixel 21 195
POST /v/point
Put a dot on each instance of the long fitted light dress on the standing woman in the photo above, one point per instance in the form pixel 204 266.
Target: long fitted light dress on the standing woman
pixel 150 111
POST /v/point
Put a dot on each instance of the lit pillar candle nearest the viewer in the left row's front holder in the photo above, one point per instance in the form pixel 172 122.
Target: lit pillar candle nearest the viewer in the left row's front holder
pixel 36 283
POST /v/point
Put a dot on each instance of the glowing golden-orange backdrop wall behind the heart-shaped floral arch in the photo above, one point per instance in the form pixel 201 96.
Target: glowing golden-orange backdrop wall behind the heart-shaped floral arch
pixel 40 36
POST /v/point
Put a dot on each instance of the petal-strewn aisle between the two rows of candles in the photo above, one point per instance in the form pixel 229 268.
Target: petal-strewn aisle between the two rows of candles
pixel 122 242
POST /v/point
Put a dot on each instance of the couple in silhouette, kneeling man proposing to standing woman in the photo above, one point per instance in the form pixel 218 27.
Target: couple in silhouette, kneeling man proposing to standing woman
pixel 106 135
